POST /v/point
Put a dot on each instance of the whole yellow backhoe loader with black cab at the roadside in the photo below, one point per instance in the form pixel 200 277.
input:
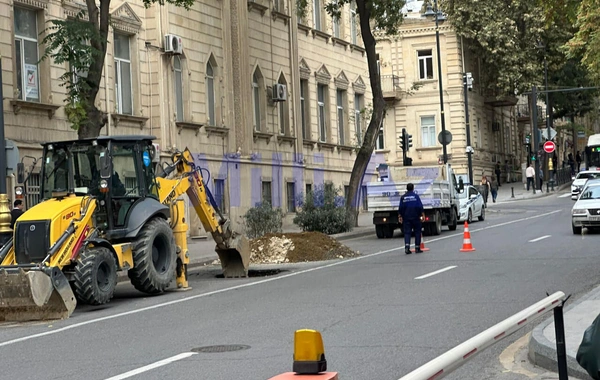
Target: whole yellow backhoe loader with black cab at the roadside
pixel 104 210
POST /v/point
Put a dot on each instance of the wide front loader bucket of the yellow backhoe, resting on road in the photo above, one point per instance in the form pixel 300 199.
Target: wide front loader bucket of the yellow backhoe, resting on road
pixel 35 295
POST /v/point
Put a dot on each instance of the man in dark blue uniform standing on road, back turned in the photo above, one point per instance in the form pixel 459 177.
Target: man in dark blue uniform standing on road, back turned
pixel 411 215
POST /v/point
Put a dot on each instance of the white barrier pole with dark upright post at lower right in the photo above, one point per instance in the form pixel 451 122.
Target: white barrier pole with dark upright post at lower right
pixel 456 357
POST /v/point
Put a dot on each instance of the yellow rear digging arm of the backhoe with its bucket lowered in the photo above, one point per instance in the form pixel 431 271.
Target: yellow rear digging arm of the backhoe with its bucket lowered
pixel 232 247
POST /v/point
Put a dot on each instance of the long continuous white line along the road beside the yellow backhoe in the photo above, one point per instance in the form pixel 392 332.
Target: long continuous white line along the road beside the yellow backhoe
pixel 241 286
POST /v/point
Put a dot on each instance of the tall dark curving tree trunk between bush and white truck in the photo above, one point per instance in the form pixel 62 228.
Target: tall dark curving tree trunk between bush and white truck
pixel 366 150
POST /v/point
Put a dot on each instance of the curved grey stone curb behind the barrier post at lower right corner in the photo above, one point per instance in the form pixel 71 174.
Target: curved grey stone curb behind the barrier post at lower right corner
pixel 542 352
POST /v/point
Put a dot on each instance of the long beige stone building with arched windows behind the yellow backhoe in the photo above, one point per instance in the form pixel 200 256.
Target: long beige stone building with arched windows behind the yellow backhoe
pixel 221 96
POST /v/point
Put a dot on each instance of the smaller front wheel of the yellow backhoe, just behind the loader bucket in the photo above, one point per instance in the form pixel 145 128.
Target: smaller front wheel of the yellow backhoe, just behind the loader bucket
pixel 95 276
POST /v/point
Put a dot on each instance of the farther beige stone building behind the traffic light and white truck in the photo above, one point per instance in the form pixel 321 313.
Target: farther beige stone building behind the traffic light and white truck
pixel 411 58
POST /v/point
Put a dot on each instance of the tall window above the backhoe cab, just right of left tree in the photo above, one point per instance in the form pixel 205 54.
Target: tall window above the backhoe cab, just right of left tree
pixel 123 84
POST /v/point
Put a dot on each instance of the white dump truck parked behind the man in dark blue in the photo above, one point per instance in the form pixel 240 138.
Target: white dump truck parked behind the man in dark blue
pixel 436 186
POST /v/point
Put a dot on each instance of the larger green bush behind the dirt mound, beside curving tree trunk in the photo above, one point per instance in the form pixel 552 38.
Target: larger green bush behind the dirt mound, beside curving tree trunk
pixel 323 211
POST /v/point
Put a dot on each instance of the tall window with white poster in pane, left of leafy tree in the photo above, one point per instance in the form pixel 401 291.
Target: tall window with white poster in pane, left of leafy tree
pixel 26 54
